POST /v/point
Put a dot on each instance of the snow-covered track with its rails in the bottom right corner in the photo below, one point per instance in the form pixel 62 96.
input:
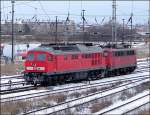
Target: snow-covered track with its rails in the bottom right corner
pixel 128 105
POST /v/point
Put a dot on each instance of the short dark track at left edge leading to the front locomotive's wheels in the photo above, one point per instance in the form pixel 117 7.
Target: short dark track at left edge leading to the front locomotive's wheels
pixel 15 90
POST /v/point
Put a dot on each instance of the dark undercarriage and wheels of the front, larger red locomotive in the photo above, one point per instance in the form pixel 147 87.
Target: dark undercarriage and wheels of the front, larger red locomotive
pixel 45 79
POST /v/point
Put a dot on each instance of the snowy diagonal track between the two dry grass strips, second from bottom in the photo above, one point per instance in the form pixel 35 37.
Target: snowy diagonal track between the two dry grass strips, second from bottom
pixel 69 104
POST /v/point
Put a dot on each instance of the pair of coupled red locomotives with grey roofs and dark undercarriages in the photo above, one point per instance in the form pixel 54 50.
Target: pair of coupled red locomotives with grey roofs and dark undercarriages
pixel 61 63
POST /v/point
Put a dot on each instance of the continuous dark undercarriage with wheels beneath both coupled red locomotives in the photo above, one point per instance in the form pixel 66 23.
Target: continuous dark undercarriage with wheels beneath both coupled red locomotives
pixel 45 79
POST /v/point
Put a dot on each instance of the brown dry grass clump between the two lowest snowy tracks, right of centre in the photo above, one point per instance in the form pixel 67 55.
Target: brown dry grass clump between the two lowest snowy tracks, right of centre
pixel 100 105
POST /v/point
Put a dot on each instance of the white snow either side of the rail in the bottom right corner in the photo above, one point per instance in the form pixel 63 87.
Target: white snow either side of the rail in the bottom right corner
pixel 128 107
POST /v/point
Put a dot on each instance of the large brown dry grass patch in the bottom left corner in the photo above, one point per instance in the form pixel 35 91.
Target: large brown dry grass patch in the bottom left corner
pixel 23 106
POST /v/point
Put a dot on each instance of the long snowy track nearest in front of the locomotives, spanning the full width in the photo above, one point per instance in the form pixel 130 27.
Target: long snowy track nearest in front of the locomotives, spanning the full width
pixel 61 90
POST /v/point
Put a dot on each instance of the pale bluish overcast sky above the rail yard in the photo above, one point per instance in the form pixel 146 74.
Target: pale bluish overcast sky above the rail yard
pixel 49 9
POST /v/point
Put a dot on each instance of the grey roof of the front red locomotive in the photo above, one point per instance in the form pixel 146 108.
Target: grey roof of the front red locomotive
pixel 65 49
